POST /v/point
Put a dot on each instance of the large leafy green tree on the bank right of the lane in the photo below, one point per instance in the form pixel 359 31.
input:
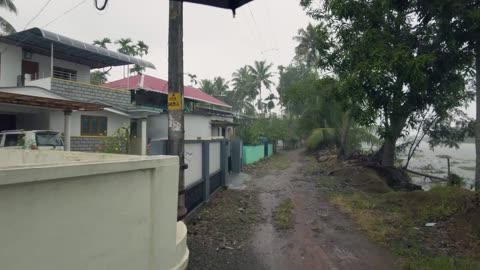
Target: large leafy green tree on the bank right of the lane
pixel 390 67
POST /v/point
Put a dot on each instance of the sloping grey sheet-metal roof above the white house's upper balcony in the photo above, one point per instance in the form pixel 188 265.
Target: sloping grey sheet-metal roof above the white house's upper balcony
pixel 39 41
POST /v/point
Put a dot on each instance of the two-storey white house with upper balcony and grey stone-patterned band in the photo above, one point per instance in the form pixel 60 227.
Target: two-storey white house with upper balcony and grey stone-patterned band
pixel 39 63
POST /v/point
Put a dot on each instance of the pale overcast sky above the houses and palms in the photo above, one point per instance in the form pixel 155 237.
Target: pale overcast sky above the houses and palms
pixel 215 43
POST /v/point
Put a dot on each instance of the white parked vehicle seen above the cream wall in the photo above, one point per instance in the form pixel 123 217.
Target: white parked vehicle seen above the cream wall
pixel 32 139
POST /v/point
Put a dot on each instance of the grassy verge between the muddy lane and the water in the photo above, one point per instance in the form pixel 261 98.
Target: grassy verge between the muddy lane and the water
pixel 397 219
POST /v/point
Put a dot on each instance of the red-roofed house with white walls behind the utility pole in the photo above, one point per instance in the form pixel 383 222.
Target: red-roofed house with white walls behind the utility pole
pixel 206 117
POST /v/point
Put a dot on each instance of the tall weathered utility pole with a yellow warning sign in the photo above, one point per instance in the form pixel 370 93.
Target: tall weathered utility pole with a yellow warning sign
pixel 176 131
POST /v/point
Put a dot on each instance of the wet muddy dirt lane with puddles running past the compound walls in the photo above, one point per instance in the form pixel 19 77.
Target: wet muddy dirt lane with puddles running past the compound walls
pixel 321 238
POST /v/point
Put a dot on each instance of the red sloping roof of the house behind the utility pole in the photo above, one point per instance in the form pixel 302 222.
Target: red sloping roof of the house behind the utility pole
pixel 161 86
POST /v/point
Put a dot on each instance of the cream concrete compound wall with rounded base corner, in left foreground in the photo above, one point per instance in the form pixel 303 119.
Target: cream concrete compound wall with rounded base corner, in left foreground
pixel 70 210
